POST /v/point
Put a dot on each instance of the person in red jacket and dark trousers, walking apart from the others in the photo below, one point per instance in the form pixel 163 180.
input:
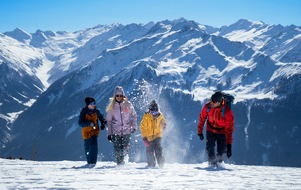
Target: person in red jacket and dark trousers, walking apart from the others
pixel 219 120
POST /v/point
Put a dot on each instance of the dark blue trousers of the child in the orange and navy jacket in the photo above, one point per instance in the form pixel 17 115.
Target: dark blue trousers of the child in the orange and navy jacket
pixel 91 149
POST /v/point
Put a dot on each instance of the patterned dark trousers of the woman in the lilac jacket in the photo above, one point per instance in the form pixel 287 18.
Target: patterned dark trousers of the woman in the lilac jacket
pixel 121 147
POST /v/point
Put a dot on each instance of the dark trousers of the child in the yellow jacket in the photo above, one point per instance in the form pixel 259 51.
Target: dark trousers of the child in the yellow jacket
pixel 155 151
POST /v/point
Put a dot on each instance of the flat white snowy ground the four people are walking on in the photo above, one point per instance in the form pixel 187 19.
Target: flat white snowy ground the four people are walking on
pixel 21 174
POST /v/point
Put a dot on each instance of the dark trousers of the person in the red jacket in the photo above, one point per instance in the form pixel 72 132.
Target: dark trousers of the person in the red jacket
pixel 220 140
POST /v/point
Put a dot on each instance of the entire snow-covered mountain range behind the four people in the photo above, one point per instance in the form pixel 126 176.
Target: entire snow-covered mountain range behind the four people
pixel 47 75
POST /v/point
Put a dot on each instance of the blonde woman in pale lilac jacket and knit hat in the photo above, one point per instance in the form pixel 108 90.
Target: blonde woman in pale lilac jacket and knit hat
pixel 121 123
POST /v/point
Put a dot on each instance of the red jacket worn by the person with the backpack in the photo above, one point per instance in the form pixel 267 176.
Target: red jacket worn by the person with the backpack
pixel 216 123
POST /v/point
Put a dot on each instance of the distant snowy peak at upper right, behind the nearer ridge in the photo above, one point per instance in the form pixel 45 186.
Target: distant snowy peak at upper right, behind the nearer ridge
pixel 274 40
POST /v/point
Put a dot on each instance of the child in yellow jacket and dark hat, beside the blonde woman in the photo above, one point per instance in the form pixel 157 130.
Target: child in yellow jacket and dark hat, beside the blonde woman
pixel 152 125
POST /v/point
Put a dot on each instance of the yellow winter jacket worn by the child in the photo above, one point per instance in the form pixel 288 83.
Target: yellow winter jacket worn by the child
pixel 151 127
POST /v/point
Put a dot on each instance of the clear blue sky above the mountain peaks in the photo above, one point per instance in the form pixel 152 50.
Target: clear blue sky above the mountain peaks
pixel 73 15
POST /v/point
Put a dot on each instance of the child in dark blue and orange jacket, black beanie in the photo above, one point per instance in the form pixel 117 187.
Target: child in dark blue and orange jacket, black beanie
pixel 88 120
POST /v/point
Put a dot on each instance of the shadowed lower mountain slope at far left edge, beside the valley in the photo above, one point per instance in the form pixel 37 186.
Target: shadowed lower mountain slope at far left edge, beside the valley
pixel 18 90
